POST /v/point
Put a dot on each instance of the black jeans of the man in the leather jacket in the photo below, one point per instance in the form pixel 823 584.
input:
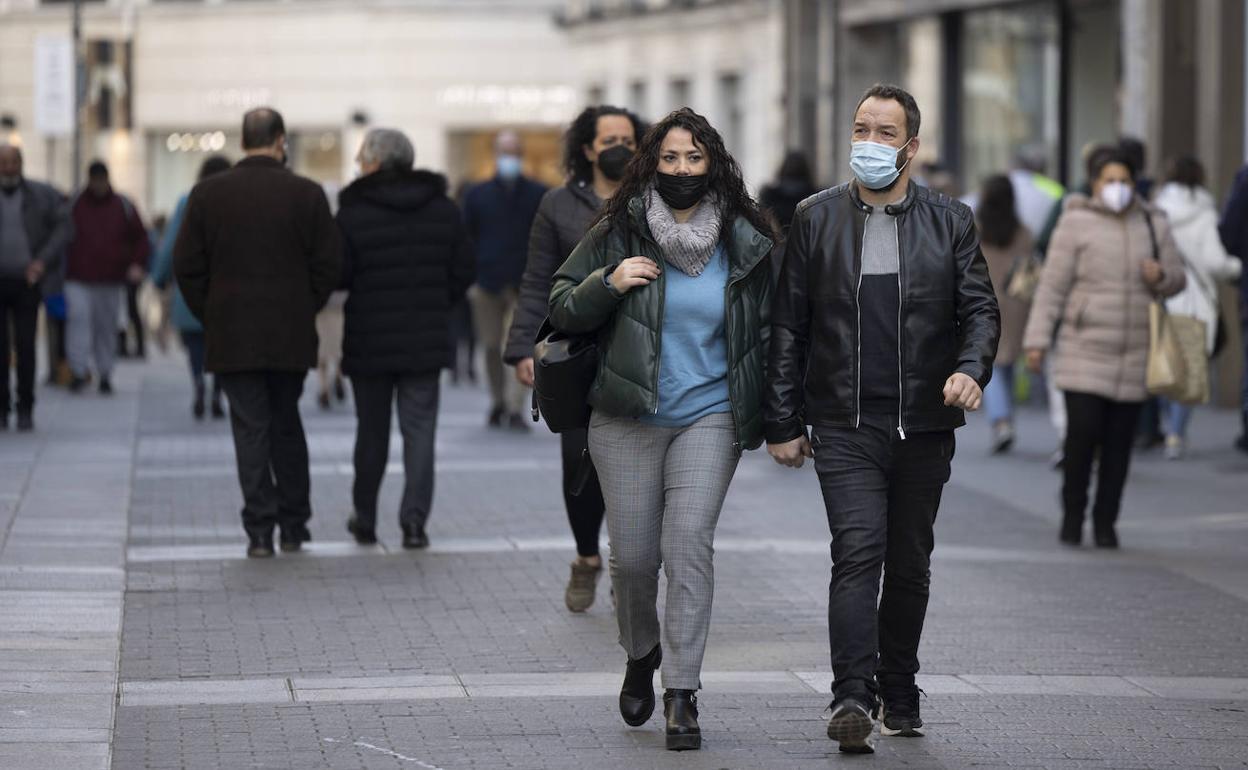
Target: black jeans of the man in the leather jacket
pixel 882 496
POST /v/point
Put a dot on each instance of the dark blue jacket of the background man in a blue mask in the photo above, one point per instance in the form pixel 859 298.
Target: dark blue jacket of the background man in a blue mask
pixel 500 218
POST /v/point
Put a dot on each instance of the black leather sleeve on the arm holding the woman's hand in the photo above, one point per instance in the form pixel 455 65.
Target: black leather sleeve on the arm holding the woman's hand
pixel 784 394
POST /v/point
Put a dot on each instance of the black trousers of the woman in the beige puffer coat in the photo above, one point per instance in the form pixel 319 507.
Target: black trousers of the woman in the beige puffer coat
pixel 1105 429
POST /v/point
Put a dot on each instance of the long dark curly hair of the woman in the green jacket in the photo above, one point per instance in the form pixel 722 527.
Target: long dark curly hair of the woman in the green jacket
pixel 726 175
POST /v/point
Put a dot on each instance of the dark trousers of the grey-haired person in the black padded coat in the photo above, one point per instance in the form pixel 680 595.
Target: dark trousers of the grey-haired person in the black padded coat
pixel 417 397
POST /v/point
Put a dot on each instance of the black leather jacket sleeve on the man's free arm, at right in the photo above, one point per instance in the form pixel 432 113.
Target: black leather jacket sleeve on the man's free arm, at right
pixel 979 318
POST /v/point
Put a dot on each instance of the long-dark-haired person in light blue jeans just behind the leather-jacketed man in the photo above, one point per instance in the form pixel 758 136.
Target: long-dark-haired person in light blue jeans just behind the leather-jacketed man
pixel 1009 250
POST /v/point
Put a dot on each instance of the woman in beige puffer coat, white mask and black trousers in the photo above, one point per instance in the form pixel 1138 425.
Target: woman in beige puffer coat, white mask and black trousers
pixel 1111 256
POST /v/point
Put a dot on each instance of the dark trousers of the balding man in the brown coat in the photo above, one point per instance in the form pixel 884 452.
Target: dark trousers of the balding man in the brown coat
pixel 271 450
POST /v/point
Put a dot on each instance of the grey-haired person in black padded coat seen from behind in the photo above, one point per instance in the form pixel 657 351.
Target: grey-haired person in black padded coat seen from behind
pixel 407 263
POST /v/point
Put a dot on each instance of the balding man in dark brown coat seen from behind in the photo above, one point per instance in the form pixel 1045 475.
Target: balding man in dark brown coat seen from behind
pixel 256 258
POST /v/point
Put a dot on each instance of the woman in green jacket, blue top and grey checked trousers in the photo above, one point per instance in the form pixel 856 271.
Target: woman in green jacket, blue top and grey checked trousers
pixel 675 281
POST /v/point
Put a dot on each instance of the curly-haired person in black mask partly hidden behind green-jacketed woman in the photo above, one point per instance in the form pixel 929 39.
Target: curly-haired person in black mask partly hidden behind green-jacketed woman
pixel 597 149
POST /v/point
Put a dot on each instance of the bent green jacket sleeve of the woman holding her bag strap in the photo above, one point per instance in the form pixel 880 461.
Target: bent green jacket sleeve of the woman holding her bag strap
pixel 581 301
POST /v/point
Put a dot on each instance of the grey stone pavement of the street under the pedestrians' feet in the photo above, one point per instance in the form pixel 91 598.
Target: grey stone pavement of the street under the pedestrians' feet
pixel 135 635
